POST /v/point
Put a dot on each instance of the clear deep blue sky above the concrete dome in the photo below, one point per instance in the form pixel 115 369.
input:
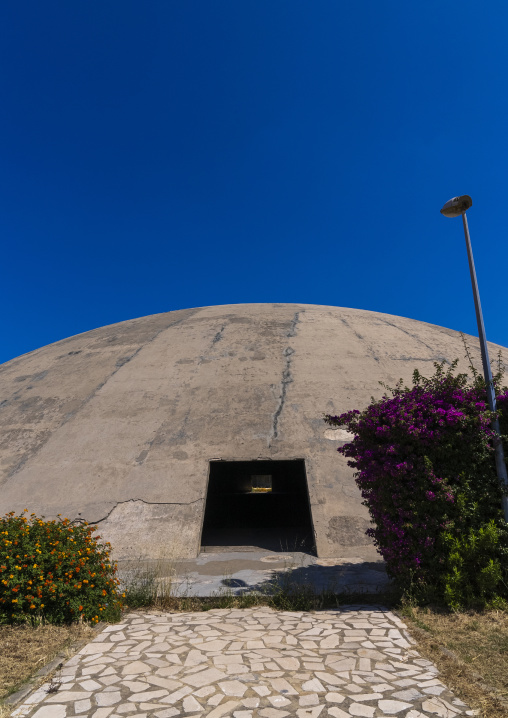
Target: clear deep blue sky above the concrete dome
pixel 177 153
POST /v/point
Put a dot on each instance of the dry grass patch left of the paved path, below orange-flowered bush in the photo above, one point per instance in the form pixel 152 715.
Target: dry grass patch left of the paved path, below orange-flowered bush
pixel 24 650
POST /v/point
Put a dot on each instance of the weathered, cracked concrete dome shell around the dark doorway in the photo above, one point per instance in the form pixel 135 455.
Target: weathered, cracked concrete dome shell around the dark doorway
pixel 118 425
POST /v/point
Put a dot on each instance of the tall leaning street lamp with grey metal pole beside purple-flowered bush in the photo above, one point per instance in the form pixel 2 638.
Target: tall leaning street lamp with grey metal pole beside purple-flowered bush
pixel 454 208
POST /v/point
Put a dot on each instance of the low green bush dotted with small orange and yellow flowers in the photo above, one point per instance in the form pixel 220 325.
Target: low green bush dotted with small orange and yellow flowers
pixel 55 571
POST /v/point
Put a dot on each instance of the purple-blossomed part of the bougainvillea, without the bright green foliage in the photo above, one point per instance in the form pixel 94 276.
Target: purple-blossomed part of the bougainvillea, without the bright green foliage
pixel 424 460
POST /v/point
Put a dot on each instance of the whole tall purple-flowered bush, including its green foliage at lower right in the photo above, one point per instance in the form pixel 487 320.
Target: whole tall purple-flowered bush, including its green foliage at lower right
pixel 425 466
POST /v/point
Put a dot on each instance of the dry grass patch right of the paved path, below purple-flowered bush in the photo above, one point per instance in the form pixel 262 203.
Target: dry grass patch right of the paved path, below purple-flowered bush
pixel 480 642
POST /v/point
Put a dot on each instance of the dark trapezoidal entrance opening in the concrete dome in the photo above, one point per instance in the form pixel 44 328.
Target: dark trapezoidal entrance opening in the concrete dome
pixel 258 504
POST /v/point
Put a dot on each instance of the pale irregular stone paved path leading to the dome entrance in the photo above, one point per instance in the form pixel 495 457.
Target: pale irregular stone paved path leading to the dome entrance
pixel 355 661
